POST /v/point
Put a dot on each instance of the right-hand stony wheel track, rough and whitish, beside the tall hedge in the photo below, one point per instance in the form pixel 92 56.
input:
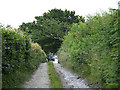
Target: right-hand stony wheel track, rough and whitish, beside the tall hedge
pixel 69 79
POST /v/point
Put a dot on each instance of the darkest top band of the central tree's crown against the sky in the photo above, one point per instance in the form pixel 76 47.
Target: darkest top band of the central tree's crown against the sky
pixel 63 16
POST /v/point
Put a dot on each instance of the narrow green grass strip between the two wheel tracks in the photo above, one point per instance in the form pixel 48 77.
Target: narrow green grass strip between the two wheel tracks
pixel 55 81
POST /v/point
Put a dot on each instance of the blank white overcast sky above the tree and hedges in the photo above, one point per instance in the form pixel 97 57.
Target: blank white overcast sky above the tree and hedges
pixel 14 12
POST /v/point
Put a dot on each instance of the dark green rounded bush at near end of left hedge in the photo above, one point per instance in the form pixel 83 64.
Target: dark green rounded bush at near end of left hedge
pixel 14 50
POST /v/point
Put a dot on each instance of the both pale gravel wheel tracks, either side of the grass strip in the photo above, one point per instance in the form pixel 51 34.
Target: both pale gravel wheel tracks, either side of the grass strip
pixel 40 78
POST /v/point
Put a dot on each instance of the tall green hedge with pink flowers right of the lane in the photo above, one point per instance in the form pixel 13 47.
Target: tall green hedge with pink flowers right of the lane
pixel 91 49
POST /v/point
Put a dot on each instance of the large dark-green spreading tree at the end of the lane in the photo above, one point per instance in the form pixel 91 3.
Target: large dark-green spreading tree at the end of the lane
pixel 48 30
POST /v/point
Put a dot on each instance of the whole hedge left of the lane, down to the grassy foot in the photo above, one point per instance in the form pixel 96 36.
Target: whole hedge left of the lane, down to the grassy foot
pixel 20 57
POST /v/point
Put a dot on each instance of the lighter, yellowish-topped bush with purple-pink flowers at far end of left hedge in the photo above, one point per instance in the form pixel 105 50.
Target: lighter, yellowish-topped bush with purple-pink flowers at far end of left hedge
pixel 37 55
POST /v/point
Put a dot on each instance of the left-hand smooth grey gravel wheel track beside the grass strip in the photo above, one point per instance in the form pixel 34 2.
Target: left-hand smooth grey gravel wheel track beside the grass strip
pixel 40 78
